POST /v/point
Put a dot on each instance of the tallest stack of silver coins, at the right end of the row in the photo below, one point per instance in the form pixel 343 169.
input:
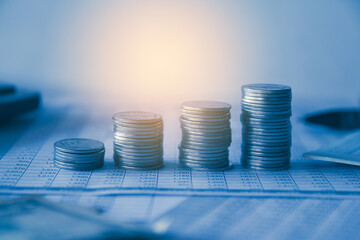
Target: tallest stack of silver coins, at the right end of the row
pixel 266 126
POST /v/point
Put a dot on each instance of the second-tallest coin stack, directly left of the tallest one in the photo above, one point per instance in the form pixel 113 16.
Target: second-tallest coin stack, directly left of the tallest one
pixel 206 135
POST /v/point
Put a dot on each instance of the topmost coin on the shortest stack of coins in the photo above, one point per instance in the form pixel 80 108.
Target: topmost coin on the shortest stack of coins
pixel 79 145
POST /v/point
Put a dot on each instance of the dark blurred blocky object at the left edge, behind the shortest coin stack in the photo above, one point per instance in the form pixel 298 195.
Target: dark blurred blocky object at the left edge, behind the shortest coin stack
pixel 14 102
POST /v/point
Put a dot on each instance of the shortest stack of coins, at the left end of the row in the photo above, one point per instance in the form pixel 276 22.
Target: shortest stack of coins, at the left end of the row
pixel 79 154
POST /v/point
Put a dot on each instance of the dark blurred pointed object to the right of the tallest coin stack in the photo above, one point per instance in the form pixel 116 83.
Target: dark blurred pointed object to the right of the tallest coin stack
pixel 340 119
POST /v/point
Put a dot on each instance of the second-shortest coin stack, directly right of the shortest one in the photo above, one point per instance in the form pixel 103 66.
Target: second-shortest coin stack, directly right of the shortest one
pixel 138 140
